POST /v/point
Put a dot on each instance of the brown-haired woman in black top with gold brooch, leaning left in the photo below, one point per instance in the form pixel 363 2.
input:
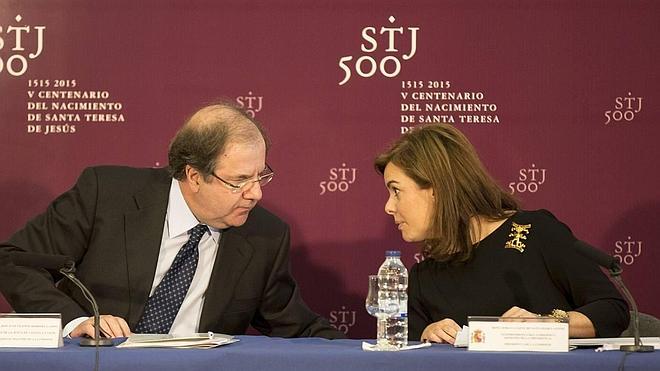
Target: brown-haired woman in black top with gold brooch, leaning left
pixel 483 255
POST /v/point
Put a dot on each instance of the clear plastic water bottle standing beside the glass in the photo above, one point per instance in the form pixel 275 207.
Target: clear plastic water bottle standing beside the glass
pixel 393 302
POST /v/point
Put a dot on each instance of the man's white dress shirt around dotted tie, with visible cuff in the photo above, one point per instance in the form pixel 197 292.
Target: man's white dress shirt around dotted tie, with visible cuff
pixel 178 221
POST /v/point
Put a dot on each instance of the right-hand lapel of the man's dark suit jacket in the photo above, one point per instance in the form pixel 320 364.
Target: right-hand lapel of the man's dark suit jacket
pixel 234 253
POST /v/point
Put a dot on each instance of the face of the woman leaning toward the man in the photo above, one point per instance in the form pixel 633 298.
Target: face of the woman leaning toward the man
pixel 410 205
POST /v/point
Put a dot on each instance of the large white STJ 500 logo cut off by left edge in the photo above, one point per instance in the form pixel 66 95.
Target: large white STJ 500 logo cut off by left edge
pixel 12 49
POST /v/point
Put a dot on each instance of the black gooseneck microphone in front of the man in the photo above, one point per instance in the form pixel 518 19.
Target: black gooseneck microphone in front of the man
pixel 67 267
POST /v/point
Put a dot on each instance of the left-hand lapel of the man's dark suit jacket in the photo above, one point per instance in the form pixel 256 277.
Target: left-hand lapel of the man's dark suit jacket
pixel 144 229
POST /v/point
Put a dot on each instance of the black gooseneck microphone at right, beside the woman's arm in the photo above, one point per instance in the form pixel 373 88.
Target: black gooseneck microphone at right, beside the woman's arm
pixel 610 262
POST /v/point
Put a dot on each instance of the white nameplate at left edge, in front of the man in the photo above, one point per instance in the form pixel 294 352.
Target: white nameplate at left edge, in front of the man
pixel 30 330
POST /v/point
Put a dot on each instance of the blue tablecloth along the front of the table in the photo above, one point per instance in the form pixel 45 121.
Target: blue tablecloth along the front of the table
pixel 273 354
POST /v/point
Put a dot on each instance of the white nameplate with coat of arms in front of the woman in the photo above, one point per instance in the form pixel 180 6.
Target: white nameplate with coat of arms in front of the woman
pixel 536 334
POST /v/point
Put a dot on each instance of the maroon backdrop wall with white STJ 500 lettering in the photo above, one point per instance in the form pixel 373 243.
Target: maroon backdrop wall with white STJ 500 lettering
pixel 559 97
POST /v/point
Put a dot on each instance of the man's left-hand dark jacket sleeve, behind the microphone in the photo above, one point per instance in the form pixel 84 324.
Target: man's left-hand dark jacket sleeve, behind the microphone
pixel 63 229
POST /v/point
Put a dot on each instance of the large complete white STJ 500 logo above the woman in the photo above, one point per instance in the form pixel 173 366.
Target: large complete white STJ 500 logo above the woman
pixel 390 65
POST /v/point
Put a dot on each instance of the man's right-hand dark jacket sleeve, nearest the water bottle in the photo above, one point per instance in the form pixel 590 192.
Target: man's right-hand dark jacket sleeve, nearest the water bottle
pixel 282 312
